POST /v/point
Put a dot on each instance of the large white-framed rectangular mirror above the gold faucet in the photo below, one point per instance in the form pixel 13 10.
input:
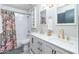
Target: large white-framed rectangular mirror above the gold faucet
pixel 66 15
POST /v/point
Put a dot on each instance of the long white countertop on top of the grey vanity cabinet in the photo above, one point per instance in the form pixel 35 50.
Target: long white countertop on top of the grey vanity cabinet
pixel 69 45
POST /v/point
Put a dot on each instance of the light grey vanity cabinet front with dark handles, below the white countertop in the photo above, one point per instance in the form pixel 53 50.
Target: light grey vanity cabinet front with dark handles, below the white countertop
pixel 40 46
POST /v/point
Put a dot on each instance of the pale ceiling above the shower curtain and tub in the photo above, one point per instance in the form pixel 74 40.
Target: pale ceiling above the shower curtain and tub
pixel 21 6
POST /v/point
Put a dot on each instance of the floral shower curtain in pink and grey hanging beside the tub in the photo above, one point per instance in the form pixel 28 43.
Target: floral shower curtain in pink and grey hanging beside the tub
pixel 9 32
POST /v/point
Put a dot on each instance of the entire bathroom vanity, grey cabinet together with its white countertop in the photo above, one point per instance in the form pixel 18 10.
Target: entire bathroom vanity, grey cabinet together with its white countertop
pixel 44 44
